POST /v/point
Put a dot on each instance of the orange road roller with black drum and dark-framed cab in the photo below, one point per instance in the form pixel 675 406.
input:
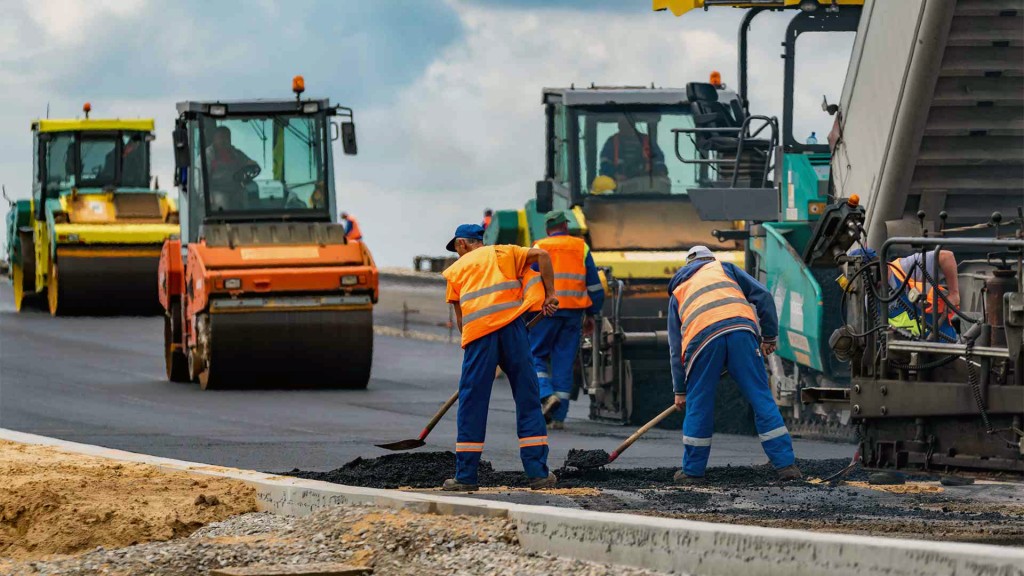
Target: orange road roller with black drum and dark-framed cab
pixel 263 287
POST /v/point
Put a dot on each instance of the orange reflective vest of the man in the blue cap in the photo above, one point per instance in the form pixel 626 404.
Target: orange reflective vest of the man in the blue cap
pixel 490 301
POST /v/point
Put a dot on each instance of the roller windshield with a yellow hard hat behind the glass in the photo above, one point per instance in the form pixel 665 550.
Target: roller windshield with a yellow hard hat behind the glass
pixel 631 151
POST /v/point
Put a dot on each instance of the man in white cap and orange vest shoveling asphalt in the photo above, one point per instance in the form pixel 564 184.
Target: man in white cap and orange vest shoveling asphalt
pixel 712 327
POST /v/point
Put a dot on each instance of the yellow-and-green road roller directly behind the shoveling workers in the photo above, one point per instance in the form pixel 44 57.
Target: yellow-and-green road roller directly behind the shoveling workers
pixel 611 168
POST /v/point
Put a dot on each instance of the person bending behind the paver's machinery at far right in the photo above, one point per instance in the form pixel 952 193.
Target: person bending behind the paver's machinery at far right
pixel 913 310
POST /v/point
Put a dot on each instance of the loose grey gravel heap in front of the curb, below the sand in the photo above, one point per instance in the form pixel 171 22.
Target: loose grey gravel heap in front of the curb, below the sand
pixel 392 543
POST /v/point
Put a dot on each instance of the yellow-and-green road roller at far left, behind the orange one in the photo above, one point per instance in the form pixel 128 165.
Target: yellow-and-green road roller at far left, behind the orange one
pixel 89 240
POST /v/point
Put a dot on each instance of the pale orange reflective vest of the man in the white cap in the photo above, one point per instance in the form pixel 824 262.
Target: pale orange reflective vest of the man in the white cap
pixel 708 298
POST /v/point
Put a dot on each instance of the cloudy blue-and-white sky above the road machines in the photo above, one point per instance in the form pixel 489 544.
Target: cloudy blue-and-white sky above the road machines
pixel 447 93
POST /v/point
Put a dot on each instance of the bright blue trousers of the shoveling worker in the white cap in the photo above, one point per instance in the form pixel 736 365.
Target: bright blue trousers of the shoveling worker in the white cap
pixel 740 352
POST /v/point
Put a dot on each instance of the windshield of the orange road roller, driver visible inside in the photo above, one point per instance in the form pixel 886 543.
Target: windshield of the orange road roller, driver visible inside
pixel 265 164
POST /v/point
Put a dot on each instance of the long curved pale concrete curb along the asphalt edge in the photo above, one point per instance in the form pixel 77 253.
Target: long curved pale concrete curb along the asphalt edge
pixel 664 545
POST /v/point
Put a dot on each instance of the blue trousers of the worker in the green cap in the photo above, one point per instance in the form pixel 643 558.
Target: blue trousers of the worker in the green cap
pixel 554 343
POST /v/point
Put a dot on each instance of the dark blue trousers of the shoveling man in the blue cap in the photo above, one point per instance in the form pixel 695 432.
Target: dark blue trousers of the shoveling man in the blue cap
pixel 508 348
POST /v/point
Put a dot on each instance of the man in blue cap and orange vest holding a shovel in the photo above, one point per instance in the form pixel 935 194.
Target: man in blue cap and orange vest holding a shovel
pixel 486 286
